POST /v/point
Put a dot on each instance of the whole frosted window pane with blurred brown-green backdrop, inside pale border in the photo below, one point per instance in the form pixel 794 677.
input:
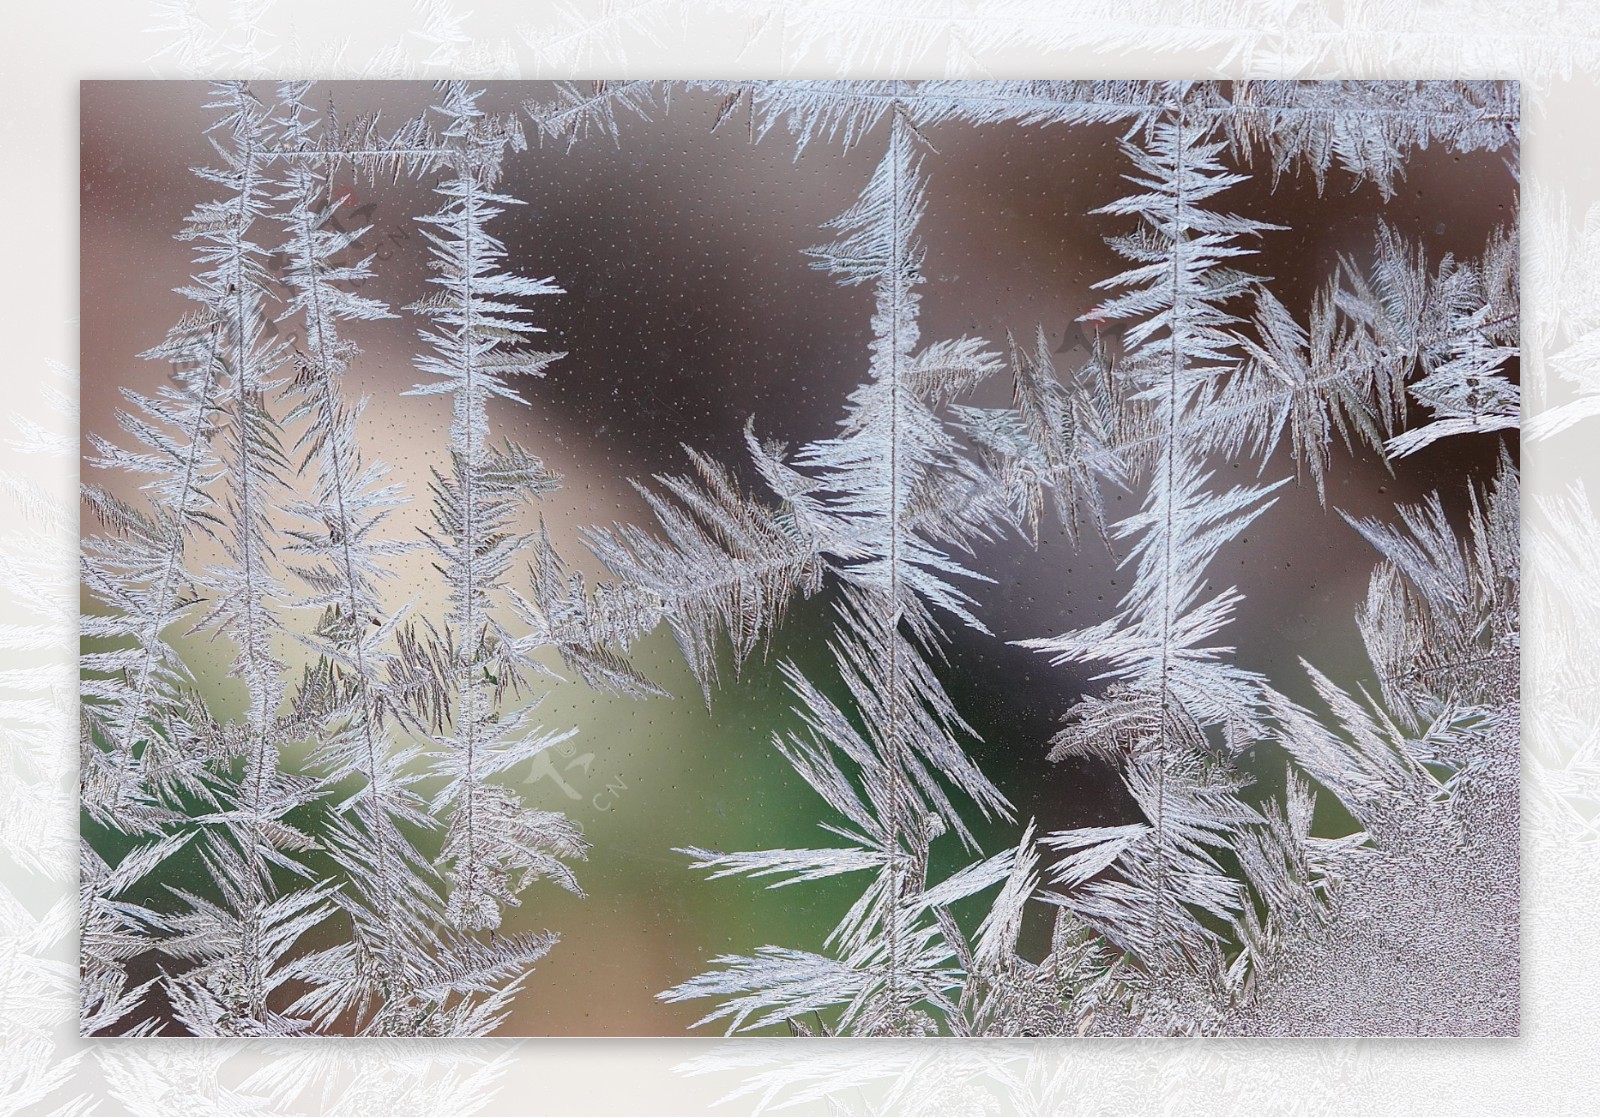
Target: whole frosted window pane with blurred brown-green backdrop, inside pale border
pixel 714 303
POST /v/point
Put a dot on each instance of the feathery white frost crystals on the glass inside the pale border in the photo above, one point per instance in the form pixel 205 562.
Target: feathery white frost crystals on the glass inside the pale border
pixel 1298 856
